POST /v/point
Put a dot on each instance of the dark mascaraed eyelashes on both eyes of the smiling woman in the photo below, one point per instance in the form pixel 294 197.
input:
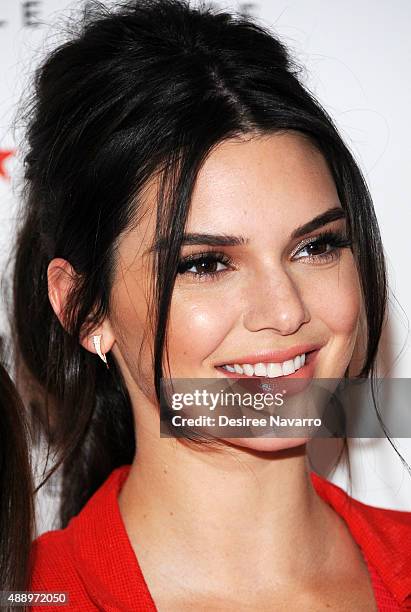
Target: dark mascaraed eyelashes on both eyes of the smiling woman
pixel 337 241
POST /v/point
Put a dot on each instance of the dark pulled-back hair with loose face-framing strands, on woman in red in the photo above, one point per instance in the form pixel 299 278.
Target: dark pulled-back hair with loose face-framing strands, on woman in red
pixel 148 86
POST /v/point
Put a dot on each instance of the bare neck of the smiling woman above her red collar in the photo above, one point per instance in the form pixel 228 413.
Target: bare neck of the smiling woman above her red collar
pixel 232 508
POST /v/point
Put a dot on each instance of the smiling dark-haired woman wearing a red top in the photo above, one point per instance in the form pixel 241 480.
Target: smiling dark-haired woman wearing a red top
pixel 189 207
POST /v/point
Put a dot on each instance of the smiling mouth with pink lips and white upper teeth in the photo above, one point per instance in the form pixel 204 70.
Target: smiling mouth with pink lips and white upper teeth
pixel 269 370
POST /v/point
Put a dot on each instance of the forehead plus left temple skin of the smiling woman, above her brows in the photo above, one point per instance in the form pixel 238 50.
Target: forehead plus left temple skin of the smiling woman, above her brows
pixel 261 187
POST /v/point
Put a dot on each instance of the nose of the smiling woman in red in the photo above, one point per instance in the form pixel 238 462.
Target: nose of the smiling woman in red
pixel 274 302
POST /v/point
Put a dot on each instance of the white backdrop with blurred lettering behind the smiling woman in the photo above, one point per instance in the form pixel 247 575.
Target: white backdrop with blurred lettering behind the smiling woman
pixel 357 57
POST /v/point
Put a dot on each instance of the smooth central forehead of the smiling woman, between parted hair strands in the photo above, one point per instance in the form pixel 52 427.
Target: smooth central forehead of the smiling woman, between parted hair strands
pixel 280 177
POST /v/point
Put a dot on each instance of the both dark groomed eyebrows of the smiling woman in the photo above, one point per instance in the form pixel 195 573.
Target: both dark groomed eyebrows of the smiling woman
pixel 225 240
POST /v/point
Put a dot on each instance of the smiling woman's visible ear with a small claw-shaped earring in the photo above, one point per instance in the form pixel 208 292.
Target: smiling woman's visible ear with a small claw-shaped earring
pixel 61 278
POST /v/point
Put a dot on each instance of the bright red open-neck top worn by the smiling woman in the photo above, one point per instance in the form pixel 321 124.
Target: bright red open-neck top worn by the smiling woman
pixel 92 559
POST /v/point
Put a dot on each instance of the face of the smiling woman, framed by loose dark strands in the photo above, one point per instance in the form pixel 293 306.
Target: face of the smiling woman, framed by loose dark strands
pixel 269 288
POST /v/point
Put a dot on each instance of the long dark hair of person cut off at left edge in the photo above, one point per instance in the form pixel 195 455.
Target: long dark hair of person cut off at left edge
pixel 16 501
